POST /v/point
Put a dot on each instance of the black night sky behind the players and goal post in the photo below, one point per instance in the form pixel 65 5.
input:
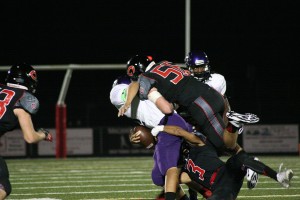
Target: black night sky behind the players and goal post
pixel 254 44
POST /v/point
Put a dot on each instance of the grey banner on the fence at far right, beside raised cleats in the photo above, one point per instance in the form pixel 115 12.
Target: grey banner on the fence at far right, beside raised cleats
pixel 271 138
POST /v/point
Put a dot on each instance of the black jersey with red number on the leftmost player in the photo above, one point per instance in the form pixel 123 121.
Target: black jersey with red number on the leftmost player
pixel 11 98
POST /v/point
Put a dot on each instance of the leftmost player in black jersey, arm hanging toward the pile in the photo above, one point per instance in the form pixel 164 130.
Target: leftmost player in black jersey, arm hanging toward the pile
pixel 17 104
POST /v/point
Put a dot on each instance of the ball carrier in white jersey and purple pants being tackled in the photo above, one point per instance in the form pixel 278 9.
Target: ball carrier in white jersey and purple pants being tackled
pixel 167 149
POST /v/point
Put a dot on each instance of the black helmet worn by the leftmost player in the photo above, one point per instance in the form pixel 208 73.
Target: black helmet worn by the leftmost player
pixel 23 74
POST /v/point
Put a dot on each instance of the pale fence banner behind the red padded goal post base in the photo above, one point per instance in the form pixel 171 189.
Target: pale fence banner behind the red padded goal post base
pixel 79 142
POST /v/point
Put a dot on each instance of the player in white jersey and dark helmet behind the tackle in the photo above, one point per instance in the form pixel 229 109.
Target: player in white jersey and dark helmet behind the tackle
pixel 197 63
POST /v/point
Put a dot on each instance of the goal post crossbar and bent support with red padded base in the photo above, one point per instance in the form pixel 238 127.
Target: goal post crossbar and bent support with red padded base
pixel 61 109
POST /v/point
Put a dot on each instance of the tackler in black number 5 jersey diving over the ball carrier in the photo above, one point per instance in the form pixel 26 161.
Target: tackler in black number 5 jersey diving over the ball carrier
pixel 164 82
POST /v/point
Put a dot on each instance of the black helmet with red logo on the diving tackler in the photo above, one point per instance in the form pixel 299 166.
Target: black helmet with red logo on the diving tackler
pixel 137 65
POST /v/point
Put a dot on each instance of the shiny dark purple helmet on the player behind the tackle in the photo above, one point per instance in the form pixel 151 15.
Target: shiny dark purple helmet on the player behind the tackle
pixel 195 60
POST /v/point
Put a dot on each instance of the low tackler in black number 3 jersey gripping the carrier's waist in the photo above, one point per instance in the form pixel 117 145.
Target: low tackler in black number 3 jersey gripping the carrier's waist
pixel 222 181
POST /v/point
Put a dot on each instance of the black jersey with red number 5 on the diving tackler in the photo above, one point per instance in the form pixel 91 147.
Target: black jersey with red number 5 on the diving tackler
pixel 173 82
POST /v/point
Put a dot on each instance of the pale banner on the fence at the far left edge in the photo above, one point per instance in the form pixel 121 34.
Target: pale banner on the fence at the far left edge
pixel 12 144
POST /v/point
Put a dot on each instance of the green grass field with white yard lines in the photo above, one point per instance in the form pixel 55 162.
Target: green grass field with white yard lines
pixel 119 178
